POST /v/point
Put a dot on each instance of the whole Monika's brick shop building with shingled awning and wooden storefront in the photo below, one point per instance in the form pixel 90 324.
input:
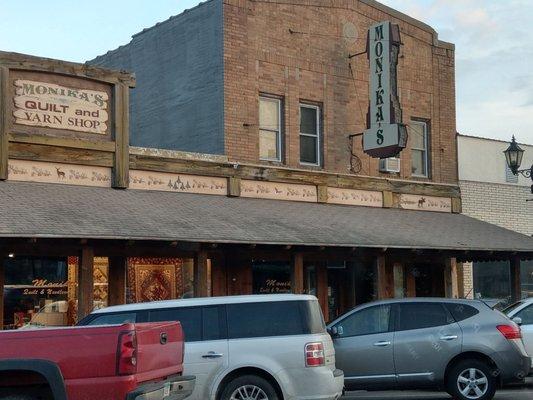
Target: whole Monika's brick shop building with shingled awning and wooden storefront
pixel 239 171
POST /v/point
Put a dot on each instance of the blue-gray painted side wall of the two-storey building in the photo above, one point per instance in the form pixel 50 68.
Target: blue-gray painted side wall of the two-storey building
pixel 178 103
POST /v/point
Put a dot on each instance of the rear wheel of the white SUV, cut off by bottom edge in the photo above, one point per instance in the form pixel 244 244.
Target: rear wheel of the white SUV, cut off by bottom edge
pixel 249 387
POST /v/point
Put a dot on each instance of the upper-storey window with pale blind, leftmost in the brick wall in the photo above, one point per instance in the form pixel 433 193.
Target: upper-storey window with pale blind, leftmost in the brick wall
pixel 270 128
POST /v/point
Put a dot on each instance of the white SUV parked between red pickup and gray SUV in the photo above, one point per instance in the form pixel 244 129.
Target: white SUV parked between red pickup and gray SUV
pixel 261 347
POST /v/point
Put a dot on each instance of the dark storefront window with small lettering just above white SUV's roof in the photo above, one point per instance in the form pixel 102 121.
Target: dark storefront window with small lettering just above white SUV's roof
pixel 271 277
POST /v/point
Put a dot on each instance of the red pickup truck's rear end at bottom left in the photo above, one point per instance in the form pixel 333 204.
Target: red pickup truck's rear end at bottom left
pixel 117 362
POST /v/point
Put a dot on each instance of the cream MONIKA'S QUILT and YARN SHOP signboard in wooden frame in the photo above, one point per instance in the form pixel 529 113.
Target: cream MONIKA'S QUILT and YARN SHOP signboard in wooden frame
pixel 49 105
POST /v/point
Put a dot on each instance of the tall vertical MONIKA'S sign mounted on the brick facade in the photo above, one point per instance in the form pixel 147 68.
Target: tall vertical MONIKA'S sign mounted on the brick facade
pixel 386 136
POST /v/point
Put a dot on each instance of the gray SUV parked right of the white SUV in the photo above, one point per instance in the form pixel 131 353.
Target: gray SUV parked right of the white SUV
pixel 461 346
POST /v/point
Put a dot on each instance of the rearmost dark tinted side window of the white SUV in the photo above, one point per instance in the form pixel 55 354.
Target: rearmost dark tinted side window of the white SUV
pixel 273 318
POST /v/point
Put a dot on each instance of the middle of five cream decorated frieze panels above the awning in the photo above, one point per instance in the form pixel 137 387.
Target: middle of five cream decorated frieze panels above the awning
pixel 278 191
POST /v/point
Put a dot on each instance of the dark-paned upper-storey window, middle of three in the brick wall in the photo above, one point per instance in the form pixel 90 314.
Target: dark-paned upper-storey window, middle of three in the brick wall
pixel 310 134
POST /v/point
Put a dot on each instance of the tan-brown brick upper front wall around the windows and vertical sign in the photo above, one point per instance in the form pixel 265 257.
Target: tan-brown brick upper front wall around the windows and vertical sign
pixel 261 55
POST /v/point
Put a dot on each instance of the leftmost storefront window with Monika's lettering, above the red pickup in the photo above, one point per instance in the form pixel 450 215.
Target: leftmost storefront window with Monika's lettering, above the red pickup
pixel 36 292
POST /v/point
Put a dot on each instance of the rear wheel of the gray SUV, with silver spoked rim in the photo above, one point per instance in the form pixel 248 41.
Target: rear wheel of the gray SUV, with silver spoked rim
pixel 471 380
